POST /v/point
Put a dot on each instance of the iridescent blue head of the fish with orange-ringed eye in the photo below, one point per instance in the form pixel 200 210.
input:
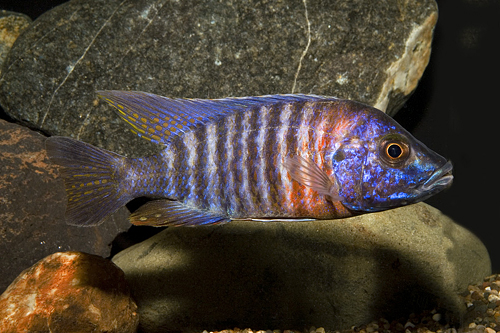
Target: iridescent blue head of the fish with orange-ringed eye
pixel 391 168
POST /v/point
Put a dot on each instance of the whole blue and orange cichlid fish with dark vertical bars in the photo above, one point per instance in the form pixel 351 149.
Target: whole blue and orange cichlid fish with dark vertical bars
pixel 290 157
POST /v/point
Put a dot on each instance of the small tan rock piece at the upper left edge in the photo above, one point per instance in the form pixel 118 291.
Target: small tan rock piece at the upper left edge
pixel 11 26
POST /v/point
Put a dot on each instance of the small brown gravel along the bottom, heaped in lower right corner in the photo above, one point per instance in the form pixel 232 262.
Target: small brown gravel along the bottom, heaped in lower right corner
pixel 483 315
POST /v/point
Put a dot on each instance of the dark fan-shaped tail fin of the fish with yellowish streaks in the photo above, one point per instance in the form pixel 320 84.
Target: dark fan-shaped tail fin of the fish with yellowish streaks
pixel 93 178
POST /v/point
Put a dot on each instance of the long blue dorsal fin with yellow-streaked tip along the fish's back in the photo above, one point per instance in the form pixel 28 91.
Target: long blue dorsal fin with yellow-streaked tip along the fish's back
pixel 159 119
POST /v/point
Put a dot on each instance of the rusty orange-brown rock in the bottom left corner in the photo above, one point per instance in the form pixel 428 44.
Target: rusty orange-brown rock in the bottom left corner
pixel 69 292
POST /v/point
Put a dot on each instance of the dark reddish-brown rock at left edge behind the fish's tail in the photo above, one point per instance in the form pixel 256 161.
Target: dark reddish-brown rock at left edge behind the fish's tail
pixel 32 206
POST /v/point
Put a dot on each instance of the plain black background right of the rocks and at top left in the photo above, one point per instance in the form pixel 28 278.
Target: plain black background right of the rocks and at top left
pixel 454 109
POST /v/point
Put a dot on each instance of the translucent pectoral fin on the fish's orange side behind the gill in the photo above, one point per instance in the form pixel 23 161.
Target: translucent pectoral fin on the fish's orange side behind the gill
pixel 307 173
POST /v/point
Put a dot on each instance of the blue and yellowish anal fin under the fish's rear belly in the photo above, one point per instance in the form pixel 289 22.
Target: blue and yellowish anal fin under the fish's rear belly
pixel 161 213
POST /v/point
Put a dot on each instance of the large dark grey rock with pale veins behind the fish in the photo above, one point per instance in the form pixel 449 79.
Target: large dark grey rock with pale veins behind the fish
pixel 363 50
